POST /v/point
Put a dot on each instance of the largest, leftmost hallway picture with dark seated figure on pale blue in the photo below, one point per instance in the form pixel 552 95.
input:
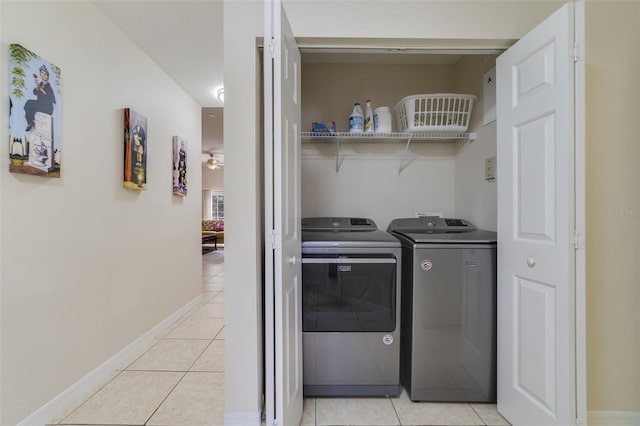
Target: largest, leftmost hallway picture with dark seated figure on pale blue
pixel 34 114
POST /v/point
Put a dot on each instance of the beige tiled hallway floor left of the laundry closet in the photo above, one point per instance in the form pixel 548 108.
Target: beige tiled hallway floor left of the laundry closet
pixel 179 380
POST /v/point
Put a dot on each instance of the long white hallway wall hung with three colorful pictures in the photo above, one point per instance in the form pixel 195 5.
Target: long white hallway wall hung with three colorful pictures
pixel 87 266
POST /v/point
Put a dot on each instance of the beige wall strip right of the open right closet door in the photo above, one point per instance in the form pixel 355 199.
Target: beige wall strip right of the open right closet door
pixel 613 205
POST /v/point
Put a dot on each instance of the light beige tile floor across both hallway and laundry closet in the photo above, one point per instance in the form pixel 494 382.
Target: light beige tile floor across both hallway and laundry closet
pixel 179 380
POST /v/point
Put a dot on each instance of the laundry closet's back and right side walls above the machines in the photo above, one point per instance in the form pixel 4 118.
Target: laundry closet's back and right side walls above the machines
pixel 382 178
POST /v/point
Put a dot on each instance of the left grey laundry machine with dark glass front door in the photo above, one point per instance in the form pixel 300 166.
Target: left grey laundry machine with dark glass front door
pixel 351 308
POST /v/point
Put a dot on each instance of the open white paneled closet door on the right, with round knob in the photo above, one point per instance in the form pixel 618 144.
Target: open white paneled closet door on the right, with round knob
pixel 536 222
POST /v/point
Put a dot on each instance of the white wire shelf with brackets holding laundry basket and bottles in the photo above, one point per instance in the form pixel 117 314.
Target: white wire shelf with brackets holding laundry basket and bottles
pixel 408 137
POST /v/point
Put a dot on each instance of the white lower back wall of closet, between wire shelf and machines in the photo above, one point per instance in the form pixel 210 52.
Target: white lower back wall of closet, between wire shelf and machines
pixel 370 187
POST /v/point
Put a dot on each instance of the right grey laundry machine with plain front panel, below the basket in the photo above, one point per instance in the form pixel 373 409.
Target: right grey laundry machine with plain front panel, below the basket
pixel 448 323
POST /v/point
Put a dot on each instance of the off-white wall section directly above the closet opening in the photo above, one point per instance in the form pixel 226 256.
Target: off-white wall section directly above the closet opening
pixel 471 19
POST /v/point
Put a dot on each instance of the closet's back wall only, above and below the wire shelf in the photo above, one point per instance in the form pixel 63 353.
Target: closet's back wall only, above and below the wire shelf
pixel 370 169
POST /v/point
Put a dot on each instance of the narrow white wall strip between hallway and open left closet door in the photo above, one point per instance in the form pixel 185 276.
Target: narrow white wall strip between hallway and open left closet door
pixel 243 212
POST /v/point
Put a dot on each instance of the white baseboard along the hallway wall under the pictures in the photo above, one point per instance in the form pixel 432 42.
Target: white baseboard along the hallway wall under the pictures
pixel 76 391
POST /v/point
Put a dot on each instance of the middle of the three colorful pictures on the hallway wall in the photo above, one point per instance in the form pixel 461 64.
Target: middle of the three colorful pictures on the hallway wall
pixel 135 150
